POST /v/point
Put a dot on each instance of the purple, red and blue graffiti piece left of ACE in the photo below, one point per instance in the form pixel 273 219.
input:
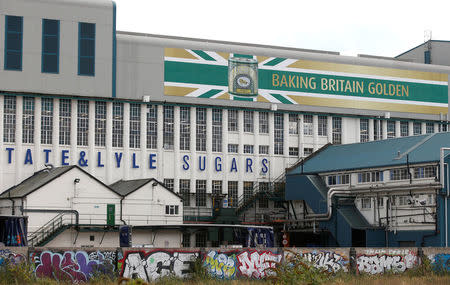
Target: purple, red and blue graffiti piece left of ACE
pixel 74 266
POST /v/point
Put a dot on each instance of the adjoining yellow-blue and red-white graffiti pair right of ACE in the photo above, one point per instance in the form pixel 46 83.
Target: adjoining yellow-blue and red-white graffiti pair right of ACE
pixel 240 263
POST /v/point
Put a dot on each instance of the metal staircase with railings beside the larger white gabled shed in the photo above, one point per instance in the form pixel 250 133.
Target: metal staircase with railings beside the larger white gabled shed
pixel 51 229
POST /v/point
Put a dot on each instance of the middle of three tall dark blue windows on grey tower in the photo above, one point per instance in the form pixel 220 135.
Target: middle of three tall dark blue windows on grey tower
pixel 50 46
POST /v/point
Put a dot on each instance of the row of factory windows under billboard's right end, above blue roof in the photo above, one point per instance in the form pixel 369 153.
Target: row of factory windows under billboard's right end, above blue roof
pixel 391 129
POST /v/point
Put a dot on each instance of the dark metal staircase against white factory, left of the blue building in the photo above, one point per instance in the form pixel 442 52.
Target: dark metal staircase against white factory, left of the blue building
pixel 274 192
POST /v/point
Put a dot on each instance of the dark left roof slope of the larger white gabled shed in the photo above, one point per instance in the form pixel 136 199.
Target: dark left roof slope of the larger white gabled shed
pixel 34 182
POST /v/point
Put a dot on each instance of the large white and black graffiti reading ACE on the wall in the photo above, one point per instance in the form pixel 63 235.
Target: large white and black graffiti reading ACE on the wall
pixel 151 265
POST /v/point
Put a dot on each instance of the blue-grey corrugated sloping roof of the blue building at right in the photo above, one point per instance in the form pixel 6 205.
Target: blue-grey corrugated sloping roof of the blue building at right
pixel 374 154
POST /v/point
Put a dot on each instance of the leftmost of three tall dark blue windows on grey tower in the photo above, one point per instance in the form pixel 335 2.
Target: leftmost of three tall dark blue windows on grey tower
pixel 13 42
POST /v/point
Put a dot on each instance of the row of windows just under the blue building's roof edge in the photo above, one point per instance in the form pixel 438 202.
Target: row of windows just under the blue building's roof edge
pixel 377 176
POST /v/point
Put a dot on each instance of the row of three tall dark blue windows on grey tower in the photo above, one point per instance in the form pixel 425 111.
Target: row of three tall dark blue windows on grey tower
pixel 50 45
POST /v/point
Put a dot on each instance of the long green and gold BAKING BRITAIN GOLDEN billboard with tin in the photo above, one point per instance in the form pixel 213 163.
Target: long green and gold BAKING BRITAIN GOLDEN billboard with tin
pixel 219 75
